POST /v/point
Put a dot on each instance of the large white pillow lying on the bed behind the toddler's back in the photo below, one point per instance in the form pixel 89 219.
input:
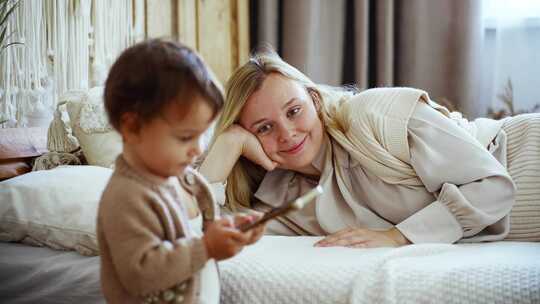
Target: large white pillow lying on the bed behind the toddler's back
pixel 55 208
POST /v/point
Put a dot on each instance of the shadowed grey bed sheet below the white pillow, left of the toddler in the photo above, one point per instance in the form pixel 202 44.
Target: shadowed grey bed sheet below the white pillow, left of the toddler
pixel 31 274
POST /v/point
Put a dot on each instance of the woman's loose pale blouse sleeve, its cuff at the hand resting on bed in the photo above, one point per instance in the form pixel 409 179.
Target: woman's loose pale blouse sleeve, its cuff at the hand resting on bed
pixel 474 191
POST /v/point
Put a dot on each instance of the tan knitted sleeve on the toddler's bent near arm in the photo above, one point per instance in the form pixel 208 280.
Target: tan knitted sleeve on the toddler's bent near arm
pixel 144 260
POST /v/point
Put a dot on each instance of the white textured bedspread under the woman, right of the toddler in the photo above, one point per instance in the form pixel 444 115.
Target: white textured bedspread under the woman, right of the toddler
pixel 290 270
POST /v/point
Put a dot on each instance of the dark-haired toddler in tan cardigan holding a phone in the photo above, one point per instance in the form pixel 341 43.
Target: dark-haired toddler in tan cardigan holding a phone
pixel 158 228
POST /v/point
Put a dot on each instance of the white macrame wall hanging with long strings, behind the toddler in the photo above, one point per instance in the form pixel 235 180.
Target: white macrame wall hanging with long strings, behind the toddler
pixel 67 45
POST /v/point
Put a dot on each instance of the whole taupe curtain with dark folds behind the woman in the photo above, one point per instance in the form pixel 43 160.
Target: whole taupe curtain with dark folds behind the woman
pixel 429 44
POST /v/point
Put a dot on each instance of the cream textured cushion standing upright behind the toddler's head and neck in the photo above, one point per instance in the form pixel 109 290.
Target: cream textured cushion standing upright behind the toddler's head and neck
pixel 100 143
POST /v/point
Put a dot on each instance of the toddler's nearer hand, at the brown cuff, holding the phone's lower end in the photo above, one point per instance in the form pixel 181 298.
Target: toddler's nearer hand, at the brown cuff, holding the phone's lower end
pixel 223 240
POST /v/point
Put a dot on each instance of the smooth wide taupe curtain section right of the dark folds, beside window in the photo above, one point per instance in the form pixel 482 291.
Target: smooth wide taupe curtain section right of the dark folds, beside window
pixel 439 48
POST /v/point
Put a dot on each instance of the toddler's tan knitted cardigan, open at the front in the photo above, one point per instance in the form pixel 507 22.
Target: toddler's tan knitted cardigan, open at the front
pixel 147 251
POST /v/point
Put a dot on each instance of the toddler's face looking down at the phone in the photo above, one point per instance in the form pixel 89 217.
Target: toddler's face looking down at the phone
pixel 172 141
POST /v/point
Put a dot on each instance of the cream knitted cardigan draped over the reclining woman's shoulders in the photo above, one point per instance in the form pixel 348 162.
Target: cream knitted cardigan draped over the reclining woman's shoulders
pixel 376 131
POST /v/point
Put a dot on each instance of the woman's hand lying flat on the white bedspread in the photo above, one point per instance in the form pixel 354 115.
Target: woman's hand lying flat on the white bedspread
pixel 364 238
